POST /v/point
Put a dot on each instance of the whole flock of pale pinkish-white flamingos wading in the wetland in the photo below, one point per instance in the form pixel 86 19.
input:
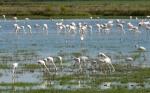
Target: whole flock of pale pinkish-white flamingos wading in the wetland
pixel 102 61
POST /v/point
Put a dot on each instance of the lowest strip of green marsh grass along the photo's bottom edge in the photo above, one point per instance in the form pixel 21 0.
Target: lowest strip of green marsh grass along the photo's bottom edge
pixel 87 90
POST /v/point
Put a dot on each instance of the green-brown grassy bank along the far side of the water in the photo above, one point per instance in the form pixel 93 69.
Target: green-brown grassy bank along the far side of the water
pixel 75 9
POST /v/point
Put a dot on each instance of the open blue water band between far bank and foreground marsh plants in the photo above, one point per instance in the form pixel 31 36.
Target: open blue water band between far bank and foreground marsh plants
pixel 50 44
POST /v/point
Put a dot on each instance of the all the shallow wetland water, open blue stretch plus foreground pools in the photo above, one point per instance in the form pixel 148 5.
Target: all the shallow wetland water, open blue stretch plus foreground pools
pixel 26 48
